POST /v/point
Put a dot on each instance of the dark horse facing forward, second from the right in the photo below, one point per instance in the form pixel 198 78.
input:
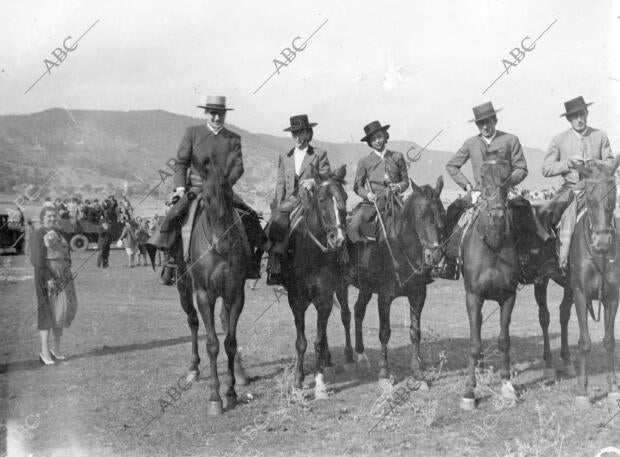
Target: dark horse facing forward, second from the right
pixel 490 268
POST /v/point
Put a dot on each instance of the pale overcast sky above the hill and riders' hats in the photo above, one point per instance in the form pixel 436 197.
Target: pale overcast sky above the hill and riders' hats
pixel 419 66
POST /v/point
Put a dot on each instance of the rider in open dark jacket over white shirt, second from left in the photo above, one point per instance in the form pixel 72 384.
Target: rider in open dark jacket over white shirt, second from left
pixel 298 167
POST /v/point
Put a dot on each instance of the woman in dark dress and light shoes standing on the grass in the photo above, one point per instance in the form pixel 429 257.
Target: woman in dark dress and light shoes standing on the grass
pixel 49 254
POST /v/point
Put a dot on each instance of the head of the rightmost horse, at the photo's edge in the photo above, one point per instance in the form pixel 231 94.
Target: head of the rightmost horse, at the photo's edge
pixel 600 190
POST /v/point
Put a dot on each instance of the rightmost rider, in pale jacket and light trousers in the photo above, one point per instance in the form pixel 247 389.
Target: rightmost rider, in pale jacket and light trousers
pixel 575 146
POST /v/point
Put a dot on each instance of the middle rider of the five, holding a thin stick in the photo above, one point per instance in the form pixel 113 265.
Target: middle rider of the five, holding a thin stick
pixel 382 174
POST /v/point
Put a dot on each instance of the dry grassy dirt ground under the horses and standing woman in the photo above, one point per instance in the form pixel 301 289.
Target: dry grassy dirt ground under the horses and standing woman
pixel 119 394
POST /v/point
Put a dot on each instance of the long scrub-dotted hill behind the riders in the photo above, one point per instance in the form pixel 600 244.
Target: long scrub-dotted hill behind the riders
pixel 100 151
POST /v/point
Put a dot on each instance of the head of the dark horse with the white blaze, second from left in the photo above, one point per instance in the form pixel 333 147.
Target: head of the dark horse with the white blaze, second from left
pixel 325 207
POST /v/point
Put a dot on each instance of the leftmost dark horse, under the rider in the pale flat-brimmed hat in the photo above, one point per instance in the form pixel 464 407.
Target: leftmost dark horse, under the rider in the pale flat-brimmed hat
pixel 217 268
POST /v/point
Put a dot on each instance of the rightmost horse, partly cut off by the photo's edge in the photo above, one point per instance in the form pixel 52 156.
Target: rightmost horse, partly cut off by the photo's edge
pixel 594 269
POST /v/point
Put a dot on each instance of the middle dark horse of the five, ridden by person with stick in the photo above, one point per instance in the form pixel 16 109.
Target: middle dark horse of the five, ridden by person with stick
pixel 419 230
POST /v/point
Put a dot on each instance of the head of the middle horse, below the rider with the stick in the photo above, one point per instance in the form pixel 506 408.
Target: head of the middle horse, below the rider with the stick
pixel 425 214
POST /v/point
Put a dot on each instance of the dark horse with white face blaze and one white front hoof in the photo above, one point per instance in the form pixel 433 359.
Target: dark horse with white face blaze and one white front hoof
pixel 311 271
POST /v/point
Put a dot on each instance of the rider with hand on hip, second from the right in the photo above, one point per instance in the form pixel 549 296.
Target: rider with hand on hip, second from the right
pixel 490 144
